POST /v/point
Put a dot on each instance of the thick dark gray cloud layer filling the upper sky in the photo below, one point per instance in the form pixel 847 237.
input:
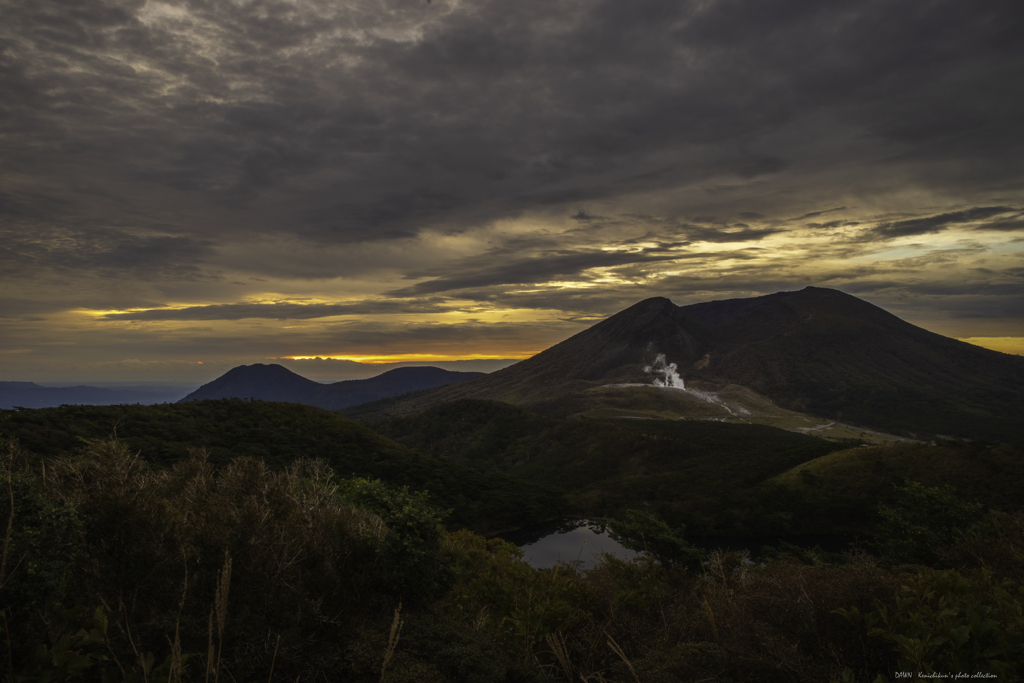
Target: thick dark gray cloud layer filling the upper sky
pixel 369 120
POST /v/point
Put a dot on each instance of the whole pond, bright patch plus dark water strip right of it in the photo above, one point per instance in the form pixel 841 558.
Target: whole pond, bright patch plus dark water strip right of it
pixel 575 539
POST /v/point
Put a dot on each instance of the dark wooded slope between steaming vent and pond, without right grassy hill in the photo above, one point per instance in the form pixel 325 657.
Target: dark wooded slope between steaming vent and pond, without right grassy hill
pixel 698 474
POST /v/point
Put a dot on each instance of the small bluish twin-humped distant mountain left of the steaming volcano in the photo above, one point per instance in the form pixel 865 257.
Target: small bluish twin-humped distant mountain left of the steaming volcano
pixel 275 382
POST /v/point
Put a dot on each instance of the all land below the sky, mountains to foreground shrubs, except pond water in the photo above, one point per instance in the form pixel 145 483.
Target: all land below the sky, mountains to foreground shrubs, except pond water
pixel 343 506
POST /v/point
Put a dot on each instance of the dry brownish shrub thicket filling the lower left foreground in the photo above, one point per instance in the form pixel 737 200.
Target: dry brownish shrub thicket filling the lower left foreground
pixel 236 568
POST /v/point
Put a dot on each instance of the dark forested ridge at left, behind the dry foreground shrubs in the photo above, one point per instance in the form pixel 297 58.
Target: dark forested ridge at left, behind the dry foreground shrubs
pixel 279 435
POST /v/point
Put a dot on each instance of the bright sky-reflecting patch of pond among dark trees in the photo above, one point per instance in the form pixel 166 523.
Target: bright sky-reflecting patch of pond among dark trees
pixel 567 541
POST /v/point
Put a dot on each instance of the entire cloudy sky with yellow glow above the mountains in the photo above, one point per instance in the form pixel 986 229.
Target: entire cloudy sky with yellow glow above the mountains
pixel 224 182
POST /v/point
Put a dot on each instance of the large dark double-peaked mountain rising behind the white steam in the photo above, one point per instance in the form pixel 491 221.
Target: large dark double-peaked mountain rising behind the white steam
pixel 817 351
